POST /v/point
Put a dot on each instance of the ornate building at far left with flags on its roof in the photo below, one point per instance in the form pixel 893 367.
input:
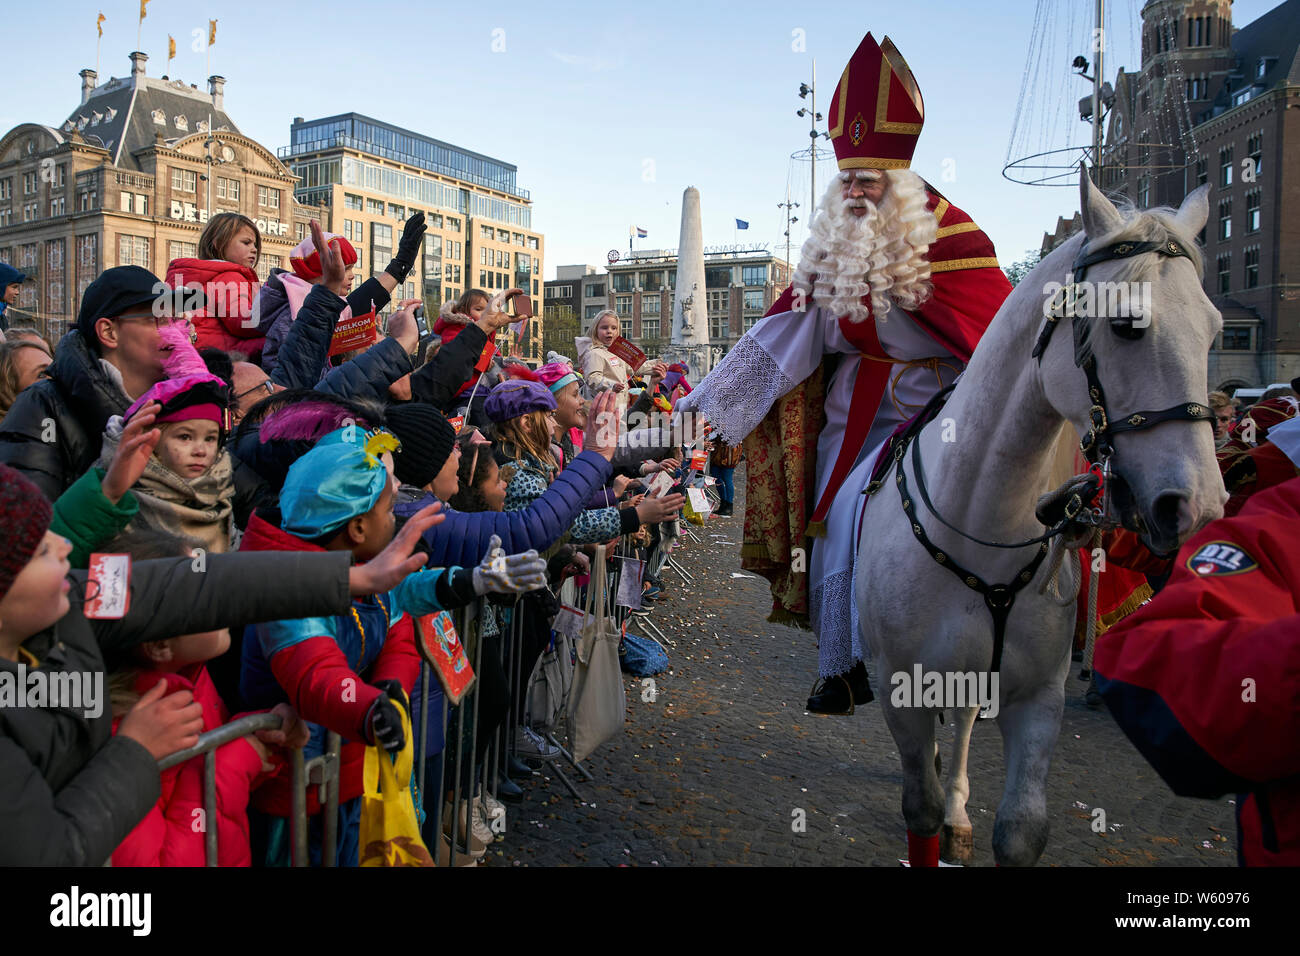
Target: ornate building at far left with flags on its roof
pixel 125 181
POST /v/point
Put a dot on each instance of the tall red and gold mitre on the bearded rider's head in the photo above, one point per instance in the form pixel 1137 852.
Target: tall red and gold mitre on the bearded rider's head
pixel 877 111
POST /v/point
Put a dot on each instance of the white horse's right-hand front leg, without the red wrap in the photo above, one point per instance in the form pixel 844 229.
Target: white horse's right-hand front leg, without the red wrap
pixel 1030 728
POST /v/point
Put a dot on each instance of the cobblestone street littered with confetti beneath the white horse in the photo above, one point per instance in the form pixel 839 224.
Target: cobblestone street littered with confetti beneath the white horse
pixel 716 765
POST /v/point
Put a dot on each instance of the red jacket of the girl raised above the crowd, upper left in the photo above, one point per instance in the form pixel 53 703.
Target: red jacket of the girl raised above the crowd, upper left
pixel 228 322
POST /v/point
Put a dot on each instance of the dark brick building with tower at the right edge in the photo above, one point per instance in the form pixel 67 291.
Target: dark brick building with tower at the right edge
pixel 1241 92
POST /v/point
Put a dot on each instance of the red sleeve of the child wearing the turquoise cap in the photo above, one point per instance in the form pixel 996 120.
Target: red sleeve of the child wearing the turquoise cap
pixel 323 689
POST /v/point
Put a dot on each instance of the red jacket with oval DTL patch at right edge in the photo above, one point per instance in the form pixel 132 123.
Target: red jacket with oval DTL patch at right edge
pixel 1206 678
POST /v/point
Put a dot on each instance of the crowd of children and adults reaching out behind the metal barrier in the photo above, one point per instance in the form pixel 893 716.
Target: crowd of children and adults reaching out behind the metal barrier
pixel 240 508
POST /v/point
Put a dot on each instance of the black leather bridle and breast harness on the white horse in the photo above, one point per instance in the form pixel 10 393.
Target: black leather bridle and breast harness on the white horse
pixel 1097 444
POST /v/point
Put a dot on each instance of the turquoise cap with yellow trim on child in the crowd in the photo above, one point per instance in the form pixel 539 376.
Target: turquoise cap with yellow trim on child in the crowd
pixel 336 482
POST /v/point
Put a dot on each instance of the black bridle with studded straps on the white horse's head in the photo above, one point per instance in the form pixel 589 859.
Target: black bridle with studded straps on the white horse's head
pixel 1097 445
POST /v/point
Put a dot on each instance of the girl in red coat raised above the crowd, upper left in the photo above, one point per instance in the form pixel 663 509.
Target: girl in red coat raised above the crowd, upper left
pixel 229 250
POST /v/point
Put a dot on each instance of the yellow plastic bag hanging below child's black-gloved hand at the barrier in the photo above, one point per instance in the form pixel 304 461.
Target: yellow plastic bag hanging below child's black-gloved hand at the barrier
pixel 391 829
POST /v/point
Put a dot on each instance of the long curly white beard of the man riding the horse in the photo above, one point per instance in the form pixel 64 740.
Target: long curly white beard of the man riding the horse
pixel 881 254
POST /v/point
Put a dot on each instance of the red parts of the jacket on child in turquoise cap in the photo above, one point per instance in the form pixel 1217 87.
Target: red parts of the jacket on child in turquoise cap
pixel 311 673
